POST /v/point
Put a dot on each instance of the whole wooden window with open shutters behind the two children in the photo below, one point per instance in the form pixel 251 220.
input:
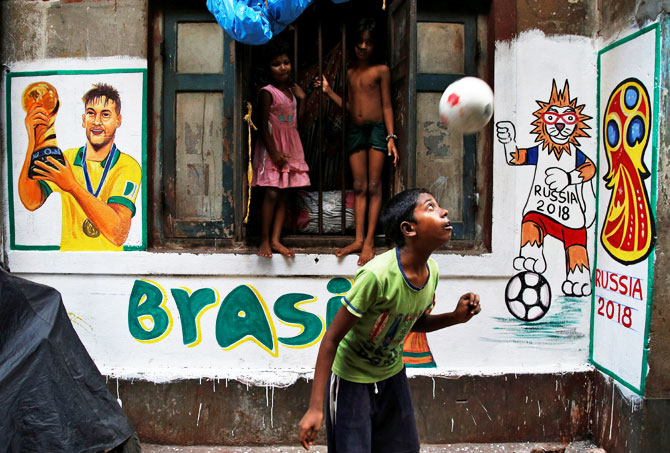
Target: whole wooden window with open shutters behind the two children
pixel 203 191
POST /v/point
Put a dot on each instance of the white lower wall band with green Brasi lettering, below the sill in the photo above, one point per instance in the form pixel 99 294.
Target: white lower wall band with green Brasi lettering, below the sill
pixel 268 330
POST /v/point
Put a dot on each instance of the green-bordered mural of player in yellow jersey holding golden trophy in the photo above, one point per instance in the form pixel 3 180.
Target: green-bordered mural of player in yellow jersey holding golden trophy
pixel 75 160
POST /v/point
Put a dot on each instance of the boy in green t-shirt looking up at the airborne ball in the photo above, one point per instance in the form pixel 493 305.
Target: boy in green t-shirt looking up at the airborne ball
pixel 359 365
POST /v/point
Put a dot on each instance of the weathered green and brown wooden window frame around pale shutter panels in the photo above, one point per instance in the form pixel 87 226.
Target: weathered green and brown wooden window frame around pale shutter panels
pixel 169 235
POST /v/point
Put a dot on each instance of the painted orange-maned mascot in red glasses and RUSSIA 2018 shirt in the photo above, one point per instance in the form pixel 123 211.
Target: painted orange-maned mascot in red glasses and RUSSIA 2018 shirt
pixel 560 202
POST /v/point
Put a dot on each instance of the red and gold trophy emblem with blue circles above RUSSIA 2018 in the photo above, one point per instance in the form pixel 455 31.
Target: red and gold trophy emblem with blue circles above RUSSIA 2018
pixel 629 230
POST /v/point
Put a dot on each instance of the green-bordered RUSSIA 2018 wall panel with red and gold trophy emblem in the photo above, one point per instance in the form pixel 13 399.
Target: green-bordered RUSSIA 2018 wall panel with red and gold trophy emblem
pixel 628 123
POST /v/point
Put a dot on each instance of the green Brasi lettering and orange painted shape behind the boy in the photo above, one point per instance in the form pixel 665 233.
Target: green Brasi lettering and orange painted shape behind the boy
pixel 243 315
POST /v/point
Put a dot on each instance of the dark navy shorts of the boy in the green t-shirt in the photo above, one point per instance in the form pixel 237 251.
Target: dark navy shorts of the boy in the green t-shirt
pixel 362 418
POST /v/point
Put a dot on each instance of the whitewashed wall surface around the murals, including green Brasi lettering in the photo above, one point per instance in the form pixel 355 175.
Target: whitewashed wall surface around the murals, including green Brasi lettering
pixel 170 316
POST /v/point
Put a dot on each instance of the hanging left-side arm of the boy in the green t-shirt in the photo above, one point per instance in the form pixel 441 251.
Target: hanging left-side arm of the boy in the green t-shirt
pixel 311 421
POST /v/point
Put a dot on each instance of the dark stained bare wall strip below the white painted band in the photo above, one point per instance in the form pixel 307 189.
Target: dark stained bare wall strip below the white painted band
pixel 505 408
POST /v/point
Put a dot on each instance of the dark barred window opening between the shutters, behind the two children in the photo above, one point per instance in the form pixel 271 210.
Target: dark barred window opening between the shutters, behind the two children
pixel 319 38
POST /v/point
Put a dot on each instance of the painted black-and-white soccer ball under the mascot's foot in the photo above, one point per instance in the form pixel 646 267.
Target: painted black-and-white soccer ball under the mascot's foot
pixel 528 296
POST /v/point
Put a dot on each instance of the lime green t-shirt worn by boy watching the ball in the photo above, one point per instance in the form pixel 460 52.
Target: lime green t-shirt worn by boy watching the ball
pixel 388 305
